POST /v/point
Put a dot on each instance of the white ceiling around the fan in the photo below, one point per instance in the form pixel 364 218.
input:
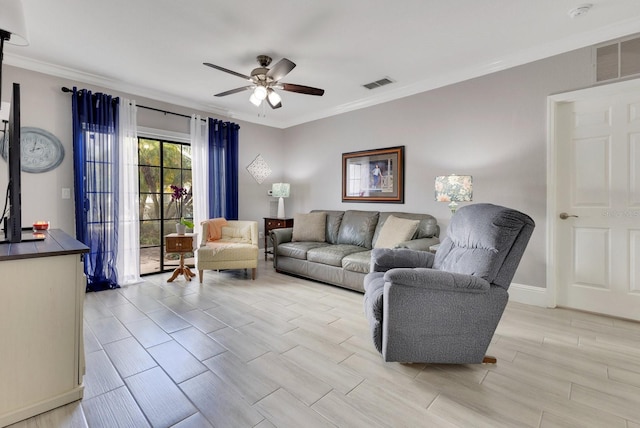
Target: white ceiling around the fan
pixel 155 48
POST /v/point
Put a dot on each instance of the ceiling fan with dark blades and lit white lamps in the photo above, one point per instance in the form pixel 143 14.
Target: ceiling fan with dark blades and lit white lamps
pixel 265 81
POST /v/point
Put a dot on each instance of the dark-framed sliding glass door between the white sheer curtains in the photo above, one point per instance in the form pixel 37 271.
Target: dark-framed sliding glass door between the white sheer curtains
pixel 162 164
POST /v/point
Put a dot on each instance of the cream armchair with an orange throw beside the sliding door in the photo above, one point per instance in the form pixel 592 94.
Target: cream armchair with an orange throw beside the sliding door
pixel 236 248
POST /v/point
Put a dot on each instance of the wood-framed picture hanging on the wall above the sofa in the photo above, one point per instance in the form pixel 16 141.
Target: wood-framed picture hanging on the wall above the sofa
pixel 373 175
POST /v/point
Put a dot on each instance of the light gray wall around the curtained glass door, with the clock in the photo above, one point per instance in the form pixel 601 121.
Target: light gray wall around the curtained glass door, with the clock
pixel 45 106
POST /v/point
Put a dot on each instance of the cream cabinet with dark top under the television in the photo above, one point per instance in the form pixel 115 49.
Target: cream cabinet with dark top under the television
pixel 41 347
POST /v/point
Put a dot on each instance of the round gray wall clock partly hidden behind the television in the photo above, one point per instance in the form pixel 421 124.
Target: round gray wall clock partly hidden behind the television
pixel 40 150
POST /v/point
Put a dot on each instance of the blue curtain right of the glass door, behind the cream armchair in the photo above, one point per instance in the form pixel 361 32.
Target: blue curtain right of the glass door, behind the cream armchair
pixel 223 169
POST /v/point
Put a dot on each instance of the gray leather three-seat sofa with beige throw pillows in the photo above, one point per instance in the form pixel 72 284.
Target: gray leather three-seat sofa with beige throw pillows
pixel 338 250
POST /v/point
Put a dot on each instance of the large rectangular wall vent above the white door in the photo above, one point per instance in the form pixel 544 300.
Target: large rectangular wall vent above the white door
pixel 617 60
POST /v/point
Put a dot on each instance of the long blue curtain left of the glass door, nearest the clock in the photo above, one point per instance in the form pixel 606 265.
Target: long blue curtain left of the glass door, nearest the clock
pixel 95 163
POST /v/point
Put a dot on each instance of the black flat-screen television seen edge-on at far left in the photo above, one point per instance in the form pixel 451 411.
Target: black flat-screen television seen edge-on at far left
pixel 14 223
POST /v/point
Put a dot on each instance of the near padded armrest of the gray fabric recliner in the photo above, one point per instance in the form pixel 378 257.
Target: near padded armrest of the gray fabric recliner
pixel 436 280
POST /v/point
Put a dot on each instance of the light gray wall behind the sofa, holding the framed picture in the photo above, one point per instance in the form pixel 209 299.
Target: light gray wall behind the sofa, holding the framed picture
pixel 493 128
